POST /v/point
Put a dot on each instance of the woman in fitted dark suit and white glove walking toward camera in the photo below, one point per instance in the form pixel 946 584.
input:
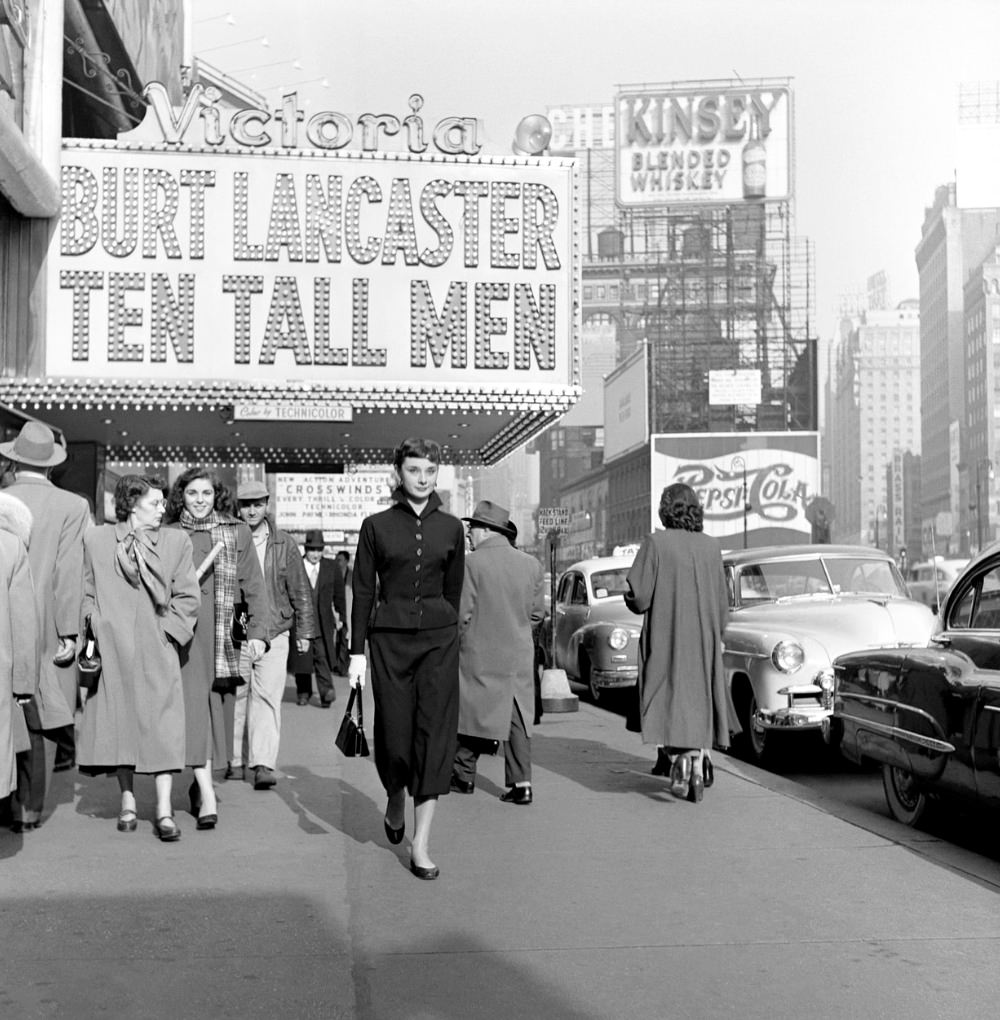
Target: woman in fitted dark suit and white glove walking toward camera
pixel 416 553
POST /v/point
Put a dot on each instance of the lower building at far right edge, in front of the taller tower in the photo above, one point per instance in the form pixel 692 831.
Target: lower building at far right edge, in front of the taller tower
pixel 982 321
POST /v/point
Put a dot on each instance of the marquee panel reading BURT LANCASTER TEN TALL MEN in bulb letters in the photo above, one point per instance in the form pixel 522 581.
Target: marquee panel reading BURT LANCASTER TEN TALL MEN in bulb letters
pixel 258 265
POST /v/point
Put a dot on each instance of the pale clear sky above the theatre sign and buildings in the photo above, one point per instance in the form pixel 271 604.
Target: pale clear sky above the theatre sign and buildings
pixel 875 85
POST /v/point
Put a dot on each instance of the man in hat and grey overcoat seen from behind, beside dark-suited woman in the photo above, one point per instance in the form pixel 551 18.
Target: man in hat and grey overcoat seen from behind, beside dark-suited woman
pixel 503 601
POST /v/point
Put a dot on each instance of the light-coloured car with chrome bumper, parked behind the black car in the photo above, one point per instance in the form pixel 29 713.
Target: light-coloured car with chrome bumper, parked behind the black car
pixel 793 610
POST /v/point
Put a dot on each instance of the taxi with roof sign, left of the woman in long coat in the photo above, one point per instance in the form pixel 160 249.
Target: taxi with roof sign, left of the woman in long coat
pixel 596 635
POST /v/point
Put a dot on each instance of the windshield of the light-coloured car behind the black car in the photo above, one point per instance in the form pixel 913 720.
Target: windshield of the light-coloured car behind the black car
pixel 769 582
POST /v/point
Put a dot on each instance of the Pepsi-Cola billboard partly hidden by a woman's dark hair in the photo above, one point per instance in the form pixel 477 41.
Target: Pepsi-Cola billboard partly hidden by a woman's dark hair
pixel 782 473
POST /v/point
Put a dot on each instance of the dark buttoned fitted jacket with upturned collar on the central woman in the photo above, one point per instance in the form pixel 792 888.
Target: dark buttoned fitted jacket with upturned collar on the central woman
pixel 419 565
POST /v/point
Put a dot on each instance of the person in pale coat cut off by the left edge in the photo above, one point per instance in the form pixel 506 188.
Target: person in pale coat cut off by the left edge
pixel 19 654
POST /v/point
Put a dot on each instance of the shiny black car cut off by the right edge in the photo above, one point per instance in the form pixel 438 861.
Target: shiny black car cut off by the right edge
pixel 931 717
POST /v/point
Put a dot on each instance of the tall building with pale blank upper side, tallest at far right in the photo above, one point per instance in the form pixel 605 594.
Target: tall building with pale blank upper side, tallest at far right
pixel 953 241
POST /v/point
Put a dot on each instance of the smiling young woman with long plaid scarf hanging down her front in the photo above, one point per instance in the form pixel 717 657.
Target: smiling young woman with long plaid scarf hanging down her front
pixel 204 507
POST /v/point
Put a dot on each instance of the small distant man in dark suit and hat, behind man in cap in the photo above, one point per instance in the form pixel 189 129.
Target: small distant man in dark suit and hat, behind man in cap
pixel 331 610
